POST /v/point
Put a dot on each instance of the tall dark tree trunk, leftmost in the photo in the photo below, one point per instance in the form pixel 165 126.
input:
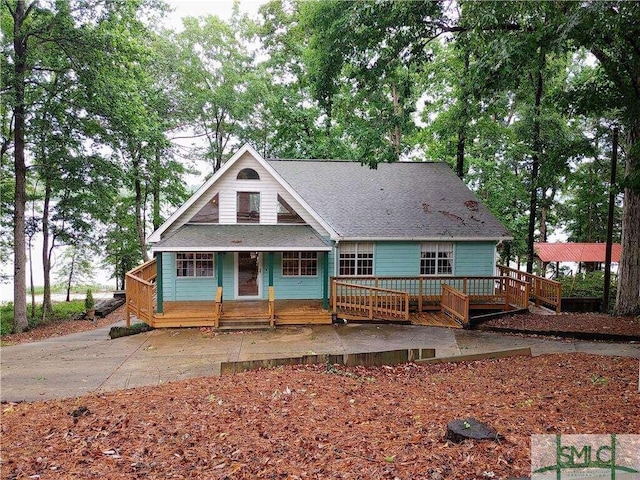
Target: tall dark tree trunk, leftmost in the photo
pixel 19 248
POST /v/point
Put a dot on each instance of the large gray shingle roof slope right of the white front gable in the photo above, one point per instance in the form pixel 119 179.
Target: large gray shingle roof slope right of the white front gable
pixel 409 200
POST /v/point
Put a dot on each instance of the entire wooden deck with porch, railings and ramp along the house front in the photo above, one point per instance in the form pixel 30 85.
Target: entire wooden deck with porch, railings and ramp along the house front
pixel 417 300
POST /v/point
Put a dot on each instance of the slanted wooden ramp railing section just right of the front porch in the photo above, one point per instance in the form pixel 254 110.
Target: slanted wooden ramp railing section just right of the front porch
pixel 369 302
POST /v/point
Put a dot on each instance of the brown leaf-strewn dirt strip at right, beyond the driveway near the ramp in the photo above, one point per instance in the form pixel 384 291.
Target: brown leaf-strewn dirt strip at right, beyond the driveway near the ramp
pixel 597 323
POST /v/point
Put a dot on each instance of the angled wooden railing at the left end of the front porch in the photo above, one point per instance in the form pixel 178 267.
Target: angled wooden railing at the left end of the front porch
pixel 140 290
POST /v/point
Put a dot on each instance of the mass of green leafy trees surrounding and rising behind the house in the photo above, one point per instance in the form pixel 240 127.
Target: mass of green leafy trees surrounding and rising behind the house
pixel 520 98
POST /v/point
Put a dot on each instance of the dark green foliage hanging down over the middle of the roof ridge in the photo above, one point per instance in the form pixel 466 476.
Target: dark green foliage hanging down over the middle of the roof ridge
pixel 371 50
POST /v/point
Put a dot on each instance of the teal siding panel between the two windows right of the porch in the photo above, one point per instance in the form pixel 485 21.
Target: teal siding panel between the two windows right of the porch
pixel 396 259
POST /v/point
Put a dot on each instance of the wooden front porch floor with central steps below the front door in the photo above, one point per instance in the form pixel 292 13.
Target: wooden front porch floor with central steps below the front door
pixel 239 313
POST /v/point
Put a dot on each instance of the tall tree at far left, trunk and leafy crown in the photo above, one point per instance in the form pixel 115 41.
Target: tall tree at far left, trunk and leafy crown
pixel 46 40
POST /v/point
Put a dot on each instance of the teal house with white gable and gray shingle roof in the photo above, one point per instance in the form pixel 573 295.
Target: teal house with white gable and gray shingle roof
pixel 288 230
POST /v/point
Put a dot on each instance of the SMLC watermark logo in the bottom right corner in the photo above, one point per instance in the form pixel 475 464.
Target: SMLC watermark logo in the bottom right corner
pixel 585 456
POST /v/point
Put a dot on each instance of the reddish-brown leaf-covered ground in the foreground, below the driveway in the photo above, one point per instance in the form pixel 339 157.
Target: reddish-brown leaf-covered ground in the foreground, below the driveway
pixel 317 422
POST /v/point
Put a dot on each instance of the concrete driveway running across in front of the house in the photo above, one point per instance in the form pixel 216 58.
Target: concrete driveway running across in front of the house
pixel 90 362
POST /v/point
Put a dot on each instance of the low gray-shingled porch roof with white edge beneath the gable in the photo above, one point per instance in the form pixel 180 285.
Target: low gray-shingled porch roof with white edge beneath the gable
pixel 237 238
